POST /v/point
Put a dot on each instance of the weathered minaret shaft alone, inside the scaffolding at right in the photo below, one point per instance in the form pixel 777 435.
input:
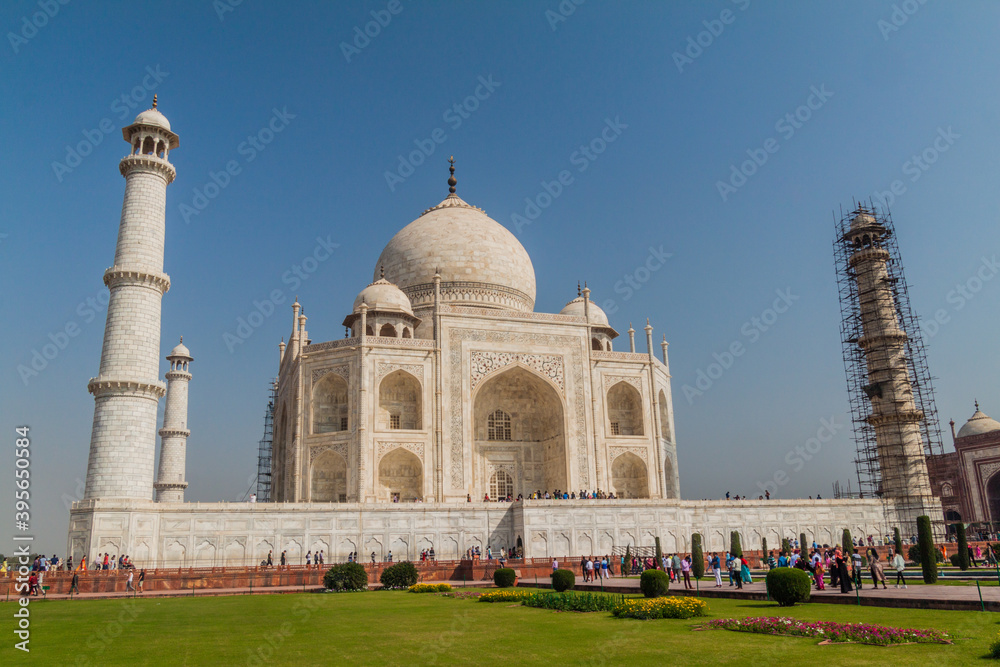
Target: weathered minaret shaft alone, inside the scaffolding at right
pixel 894 416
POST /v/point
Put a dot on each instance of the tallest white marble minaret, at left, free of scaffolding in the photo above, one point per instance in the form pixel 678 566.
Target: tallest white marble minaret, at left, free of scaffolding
pixel 127 388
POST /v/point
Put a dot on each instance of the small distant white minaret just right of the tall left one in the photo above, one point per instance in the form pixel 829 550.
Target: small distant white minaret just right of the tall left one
pixel 170 482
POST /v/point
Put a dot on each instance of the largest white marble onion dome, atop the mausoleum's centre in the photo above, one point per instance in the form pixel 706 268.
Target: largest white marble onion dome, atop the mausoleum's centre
pixel 481 263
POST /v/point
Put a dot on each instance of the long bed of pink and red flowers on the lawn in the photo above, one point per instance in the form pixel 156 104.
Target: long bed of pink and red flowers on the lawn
pixel 857 633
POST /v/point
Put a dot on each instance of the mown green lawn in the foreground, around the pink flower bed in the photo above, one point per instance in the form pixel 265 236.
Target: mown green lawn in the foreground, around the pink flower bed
pixel 398 628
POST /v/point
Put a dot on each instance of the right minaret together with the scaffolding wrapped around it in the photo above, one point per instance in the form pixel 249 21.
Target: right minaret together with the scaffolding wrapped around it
pixel 890 387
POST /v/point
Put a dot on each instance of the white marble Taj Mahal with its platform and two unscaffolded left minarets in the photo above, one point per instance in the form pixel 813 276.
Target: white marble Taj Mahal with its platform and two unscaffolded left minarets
pixel 448 403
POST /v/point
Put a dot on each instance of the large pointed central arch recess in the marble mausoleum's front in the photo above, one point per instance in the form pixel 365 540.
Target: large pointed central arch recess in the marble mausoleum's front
pixel 533 448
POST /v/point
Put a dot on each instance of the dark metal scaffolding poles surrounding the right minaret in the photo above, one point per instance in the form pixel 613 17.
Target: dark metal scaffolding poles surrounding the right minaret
pixel 876 469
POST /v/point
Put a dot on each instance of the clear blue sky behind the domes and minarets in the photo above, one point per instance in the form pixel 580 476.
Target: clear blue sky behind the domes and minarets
pixel 834 101
